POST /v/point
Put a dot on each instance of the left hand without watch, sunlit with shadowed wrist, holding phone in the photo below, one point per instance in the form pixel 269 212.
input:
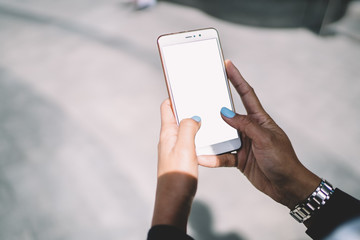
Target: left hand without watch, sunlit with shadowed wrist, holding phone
pixel 177 169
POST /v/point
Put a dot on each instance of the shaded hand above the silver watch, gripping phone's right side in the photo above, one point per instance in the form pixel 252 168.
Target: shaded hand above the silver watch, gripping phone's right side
pixel 267 157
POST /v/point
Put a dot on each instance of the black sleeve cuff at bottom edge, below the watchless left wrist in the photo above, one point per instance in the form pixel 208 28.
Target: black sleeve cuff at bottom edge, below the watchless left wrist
pixel 160 232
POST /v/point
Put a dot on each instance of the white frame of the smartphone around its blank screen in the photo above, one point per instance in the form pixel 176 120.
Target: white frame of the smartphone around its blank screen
pixel 188 37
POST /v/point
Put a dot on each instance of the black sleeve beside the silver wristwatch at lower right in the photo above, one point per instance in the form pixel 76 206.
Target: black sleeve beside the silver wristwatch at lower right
pixel 340 208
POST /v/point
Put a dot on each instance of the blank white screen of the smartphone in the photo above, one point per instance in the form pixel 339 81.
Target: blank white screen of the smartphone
pixel 198 85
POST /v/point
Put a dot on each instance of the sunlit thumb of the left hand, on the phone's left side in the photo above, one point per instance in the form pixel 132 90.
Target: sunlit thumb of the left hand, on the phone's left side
pixel 187 132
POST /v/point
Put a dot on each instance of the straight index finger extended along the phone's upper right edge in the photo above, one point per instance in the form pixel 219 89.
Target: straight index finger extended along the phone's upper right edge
pixel 250 100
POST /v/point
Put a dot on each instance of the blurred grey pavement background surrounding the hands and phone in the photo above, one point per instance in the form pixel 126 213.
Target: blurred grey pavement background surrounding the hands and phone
pixel 80 88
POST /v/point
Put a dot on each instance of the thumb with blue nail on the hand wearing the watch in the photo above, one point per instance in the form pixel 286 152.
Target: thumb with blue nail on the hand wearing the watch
pixel 244 124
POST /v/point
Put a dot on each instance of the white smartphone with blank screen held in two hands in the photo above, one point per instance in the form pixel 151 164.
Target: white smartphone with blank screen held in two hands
pixel 197 84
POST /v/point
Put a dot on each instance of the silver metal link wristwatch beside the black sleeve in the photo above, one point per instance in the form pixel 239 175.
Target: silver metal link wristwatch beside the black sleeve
pixel 303 211
